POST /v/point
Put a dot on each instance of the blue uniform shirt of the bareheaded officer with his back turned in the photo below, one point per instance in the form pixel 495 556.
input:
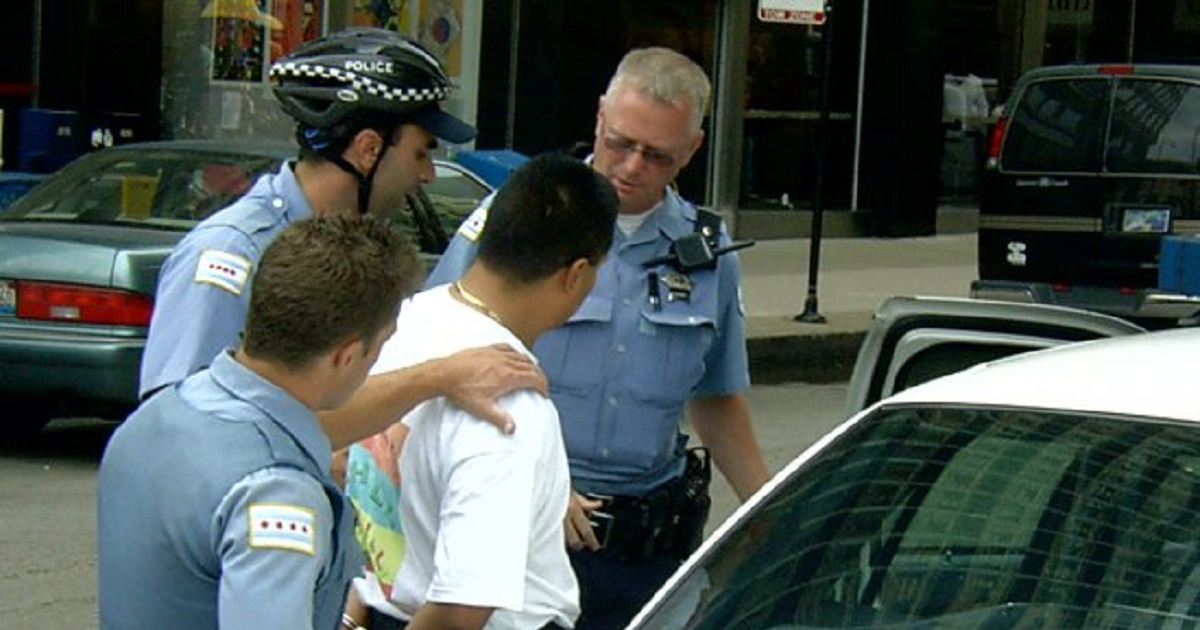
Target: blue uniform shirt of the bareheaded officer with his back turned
pixel 217 508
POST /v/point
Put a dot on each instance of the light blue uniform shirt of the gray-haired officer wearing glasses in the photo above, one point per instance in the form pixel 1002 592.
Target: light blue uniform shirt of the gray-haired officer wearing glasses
pixel 621 371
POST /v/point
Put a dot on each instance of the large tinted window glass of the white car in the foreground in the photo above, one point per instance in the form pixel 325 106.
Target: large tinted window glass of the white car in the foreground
pixel 967 518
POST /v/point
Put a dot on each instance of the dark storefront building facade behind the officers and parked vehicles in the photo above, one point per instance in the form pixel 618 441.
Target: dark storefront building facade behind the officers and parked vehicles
pixel 849 117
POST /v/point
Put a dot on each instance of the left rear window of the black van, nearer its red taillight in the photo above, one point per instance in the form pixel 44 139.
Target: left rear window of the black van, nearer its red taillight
pixel 1058 127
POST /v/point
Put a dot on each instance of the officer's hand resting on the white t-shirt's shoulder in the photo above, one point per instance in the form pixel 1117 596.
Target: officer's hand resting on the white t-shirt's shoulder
pixel 477 377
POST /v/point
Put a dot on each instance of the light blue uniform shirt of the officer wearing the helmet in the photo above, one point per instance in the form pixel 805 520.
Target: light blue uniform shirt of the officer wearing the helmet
pixel 205 285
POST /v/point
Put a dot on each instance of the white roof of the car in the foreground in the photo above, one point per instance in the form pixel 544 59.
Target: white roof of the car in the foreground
pixel 1147 375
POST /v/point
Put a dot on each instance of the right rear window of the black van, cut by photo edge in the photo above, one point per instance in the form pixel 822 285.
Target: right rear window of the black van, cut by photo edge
pixel 1156 128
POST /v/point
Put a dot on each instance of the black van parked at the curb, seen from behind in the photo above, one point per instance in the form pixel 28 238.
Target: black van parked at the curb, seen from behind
pixel 1089 167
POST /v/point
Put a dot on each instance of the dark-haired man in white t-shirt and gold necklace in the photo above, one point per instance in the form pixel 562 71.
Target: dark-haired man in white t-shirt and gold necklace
pixel 483 513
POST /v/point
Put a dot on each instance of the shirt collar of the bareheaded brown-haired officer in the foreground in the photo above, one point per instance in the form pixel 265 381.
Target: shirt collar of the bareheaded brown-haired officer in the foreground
pixel 281 407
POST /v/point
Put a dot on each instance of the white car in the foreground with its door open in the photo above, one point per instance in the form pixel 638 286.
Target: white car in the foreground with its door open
pixel 1053 489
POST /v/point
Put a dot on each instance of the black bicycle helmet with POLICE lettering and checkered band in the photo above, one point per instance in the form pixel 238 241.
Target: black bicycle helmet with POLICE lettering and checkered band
pixel 326 81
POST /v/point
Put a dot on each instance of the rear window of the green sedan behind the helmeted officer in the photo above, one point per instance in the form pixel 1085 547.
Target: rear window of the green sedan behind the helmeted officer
pixel 163 188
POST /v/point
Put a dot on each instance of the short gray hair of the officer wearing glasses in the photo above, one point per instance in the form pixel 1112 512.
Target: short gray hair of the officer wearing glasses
pixel 665 76
